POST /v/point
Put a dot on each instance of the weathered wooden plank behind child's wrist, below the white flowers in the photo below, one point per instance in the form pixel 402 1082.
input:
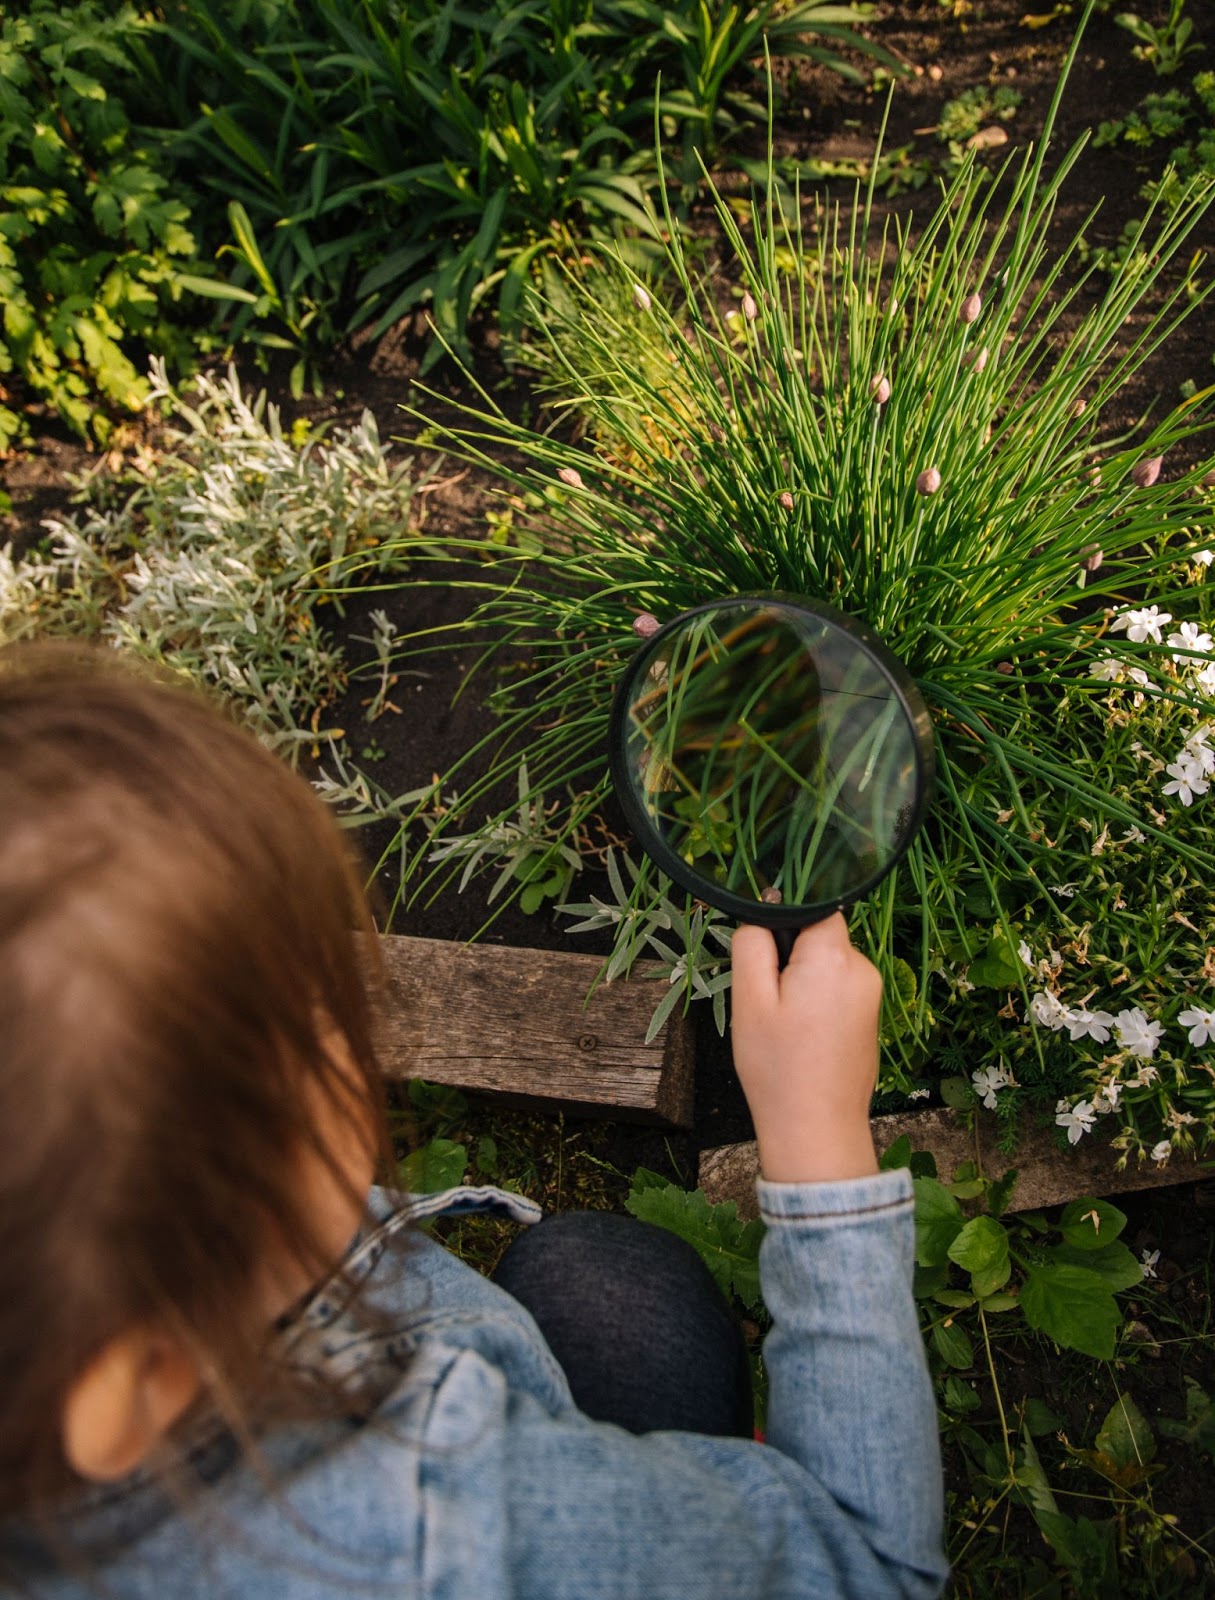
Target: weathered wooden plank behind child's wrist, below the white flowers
pixel 1046 1175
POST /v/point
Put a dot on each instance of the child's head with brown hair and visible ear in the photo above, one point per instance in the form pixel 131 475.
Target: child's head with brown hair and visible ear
pixel 190 1102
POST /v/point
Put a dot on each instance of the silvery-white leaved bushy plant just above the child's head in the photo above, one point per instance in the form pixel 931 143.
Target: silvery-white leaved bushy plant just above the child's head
pixel 214 554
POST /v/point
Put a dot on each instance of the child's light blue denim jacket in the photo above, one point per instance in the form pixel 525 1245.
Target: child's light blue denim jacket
pixel 471 1476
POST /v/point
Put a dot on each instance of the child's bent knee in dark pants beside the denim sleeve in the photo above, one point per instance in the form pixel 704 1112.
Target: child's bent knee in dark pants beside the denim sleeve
pixel 641 1330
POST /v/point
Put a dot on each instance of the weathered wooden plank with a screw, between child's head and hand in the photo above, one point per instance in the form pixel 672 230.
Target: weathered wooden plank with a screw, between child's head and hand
pixel 518 1023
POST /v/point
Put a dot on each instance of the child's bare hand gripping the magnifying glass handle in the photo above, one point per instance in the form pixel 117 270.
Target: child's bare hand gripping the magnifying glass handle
pixel 806 1052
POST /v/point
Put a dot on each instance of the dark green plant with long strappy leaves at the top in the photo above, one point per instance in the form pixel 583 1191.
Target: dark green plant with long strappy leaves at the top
pixel 375 158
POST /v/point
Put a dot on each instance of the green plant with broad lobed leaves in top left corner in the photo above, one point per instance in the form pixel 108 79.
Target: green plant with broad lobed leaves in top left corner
pixel 94 236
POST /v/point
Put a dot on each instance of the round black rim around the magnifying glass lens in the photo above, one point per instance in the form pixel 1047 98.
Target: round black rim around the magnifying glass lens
pixel 652 842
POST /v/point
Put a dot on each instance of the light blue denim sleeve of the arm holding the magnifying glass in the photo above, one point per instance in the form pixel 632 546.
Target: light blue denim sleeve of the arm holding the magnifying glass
pixel 844 1500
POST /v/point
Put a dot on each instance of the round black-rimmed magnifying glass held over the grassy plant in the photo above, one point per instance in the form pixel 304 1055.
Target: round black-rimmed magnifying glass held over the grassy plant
pixel 772 758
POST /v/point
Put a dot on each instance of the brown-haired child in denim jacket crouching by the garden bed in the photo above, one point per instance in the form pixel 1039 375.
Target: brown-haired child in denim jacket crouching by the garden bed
pixel 233 1369
